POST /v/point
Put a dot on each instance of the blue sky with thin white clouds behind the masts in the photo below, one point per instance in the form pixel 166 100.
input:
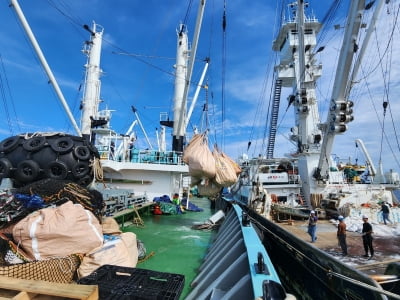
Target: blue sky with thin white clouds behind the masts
pixel 148 28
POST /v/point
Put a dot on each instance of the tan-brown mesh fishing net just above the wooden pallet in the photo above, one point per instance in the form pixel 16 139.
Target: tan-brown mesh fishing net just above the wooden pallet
pixel 60 270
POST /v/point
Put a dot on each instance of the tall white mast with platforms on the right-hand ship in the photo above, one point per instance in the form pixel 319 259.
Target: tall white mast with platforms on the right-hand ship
pixel 298 70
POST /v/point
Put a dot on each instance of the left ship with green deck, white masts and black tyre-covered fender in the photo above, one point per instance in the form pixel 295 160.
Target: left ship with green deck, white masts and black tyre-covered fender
pixel 229 264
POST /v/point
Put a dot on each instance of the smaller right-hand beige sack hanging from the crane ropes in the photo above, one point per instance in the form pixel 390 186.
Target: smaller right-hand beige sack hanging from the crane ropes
pixel 225 172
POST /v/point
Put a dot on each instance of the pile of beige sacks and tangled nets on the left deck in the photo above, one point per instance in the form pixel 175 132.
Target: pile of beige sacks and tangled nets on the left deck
pixel 54 230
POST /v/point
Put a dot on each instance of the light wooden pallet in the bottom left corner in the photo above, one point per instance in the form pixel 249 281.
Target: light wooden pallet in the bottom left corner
pixel 21 289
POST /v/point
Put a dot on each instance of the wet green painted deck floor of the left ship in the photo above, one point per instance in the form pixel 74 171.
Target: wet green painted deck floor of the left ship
pixel 177 247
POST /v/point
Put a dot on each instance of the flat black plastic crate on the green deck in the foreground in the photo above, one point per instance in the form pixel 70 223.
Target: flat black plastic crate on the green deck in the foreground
pixel 117 282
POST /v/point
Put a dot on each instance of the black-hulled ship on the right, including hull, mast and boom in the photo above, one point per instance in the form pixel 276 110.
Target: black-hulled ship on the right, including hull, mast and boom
pixel 279 189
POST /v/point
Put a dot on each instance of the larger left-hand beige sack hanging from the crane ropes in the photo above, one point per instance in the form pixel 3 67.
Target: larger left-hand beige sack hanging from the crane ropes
pixel 199 157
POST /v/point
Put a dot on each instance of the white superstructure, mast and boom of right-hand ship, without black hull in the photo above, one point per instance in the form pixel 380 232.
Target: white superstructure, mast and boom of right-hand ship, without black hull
pixel 309 178
